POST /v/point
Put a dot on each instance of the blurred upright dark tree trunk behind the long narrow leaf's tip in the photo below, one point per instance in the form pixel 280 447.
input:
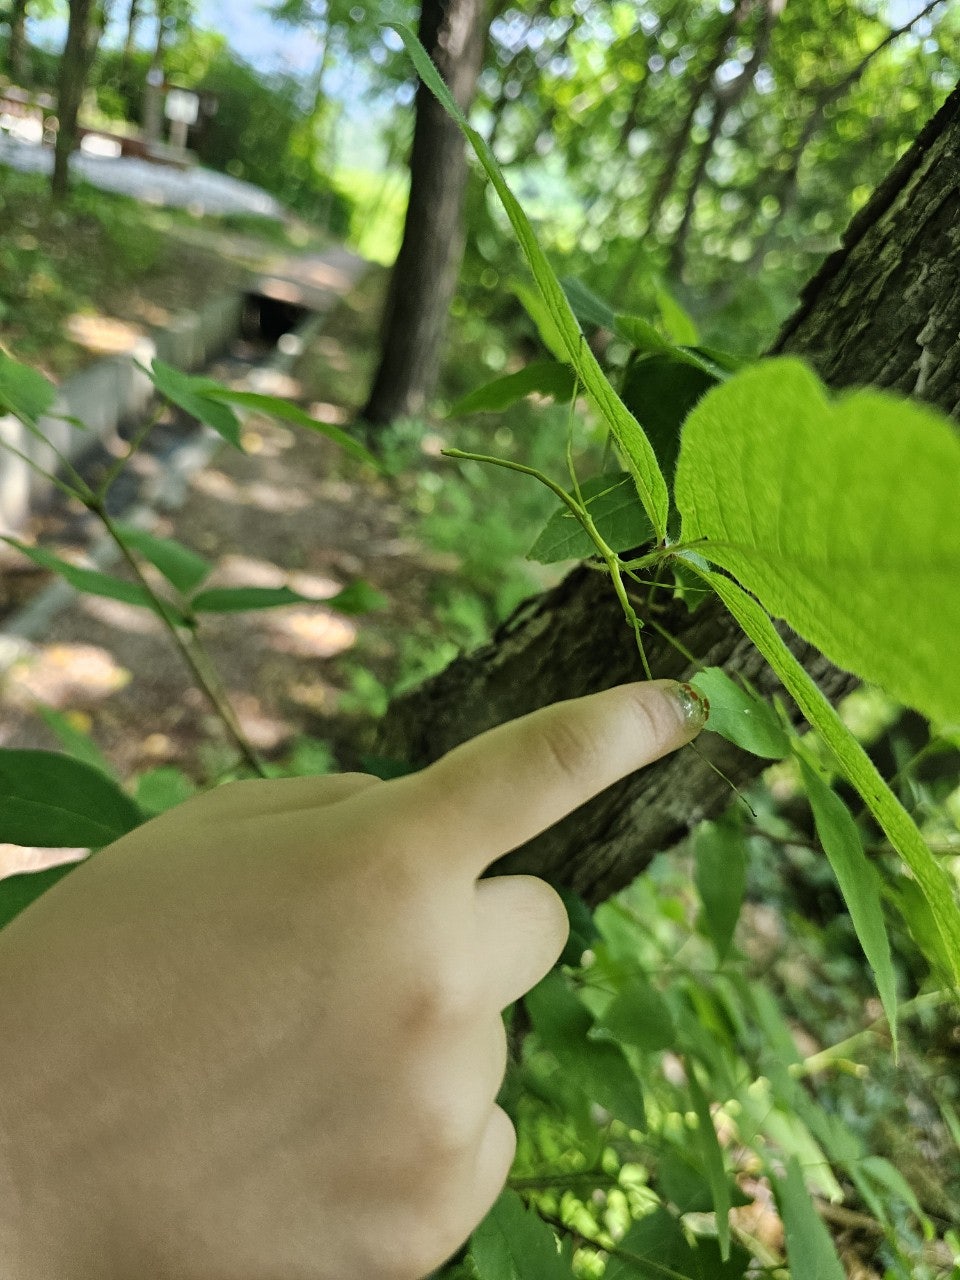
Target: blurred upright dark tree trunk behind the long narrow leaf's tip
pixel 428 264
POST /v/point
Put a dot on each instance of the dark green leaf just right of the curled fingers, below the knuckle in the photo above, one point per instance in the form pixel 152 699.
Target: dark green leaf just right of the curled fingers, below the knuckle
pixel 598 1068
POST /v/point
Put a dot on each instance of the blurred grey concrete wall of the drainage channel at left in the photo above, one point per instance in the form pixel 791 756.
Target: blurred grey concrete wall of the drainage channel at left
pixel 104 396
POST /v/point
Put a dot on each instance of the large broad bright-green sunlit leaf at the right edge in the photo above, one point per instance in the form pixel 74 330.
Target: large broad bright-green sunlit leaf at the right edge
pixel 840 518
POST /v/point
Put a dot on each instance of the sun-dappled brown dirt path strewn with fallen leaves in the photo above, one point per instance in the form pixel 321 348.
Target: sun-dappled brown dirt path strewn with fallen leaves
pixel 294 510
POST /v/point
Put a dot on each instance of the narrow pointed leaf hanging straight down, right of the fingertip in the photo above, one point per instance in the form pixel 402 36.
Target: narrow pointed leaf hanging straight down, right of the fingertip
pixel 860 884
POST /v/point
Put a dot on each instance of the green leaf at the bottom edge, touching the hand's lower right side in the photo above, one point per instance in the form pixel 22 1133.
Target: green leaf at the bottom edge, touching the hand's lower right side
pixel 514 1244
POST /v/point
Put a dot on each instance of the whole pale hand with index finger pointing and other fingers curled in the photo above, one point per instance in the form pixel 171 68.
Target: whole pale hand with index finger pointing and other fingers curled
pixel 260 1037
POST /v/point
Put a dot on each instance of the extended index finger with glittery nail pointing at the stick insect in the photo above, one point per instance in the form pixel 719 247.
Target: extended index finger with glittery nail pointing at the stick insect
pixel 506 787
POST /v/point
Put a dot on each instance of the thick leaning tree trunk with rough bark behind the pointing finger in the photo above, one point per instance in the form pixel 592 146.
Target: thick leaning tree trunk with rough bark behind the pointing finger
pixel 884 312
